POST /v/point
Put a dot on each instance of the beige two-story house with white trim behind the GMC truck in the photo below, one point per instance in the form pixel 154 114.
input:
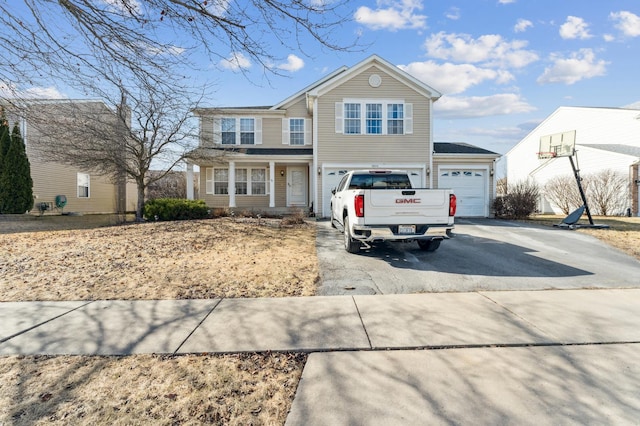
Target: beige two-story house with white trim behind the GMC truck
pixel 291 155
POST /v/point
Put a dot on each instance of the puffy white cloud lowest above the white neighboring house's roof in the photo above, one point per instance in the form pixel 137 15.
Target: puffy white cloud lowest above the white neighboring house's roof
pixel 578 66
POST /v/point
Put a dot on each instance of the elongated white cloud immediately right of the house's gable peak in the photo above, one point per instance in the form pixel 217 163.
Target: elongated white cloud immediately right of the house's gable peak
pixel 454 78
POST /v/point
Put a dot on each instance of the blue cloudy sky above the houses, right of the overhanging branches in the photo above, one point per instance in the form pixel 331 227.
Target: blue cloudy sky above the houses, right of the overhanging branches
pixel 502 65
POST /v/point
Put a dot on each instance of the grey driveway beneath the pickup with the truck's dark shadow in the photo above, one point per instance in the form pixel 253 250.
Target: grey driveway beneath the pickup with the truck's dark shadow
pixel 484 254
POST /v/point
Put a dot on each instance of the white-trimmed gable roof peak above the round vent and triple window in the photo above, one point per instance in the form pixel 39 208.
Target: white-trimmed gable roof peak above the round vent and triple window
pixel 390 69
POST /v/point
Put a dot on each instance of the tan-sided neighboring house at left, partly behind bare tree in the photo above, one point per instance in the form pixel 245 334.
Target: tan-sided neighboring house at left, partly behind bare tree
pixel 85 192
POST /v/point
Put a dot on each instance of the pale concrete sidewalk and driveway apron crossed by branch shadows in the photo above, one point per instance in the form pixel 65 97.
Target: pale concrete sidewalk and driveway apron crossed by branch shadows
pixel 526 357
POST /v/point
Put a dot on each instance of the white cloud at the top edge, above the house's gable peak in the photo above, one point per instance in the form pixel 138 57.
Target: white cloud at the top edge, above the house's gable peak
pixel 392 15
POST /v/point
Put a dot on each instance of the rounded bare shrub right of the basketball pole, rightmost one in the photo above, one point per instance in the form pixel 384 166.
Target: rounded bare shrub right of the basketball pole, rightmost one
pixel 608 192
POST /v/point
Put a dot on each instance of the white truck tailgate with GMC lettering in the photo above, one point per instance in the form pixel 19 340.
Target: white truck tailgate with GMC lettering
pixel 406 206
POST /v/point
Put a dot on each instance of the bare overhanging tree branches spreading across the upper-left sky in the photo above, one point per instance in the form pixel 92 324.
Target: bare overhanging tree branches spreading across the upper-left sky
pixel 97 44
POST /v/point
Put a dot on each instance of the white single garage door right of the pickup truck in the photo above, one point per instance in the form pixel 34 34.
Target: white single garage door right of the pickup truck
pixel 470 189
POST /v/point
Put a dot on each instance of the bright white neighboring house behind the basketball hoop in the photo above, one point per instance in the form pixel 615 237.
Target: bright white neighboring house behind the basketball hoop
pixel 606 139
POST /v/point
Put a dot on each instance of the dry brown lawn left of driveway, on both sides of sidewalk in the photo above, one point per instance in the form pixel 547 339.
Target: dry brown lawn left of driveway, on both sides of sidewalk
pixel 198 259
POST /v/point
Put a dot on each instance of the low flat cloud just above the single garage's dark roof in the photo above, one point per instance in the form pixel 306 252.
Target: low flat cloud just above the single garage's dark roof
pixel 481 106
